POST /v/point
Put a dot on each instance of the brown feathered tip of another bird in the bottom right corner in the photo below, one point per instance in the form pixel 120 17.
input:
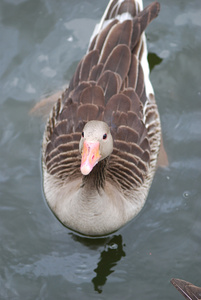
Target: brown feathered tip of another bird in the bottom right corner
pixel 187 289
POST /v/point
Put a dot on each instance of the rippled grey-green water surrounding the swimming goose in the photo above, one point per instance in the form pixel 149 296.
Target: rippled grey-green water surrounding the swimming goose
pixel 41 42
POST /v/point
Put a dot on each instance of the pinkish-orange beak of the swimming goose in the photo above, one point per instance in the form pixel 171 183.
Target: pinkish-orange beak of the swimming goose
pixel 90 156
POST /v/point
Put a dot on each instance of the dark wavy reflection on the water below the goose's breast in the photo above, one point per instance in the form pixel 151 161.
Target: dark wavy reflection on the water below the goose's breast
pixel 109 257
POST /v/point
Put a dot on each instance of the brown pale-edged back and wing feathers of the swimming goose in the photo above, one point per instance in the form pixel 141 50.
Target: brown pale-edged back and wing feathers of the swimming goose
pixel 108 85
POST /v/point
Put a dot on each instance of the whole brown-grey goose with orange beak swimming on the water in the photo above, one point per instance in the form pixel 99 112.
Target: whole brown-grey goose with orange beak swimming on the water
pixel 102 137
